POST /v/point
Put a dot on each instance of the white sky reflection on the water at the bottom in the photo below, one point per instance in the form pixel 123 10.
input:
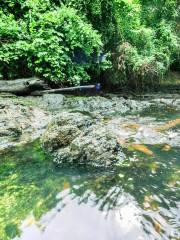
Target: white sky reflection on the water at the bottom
pixel 86 221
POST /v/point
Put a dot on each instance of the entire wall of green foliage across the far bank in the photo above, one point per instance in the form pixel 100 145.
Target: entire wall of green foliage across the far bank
pixel 63 41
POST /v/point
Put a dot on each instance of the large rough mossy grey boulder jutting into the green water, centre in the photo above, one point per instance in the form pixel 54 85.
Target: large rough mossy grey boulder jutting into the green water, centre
pixel 75 138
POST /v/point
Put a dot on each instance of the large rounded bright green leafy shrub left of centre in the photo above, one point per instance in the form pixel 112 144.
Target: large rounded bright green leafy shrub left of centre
pixel 62 46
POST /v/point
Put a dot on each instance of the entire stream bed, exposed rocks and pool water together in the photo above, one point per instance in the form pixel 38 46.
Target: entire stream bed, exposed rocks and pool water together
pixel 114 159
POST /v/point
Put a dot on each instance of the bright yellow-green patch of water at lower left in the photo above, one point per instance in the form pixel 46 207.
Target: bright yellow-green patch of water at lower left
pixel 26 184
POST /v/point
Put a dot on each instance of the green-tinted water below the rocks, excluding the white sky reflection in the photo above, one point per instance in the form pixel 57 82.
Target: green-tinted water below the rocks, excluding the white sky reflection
pixel 30 182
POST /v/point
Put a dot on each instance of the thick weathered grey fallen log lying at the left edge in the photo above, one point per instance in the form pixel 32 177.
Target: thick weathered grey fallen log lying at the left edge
pixel 22 86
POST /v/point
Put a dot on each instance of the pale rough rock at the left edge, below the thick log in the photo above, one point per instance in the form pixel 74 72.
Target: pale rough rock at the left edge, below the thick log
pixel 19 123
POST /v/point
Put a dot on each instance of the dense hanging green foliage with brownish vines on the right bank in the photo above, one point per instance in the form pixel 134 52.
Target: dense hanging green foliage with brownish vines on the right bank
pixel 142 35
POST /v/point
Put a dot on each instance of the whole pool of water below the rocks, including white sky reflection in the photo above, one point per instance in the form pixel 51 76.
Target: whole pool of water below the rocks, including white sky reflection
pixel 138 200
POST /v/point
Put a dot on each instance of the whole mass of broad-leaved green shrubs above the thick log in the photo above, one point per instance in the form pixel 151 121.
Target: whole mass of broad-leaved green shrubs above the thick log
pixel 57 45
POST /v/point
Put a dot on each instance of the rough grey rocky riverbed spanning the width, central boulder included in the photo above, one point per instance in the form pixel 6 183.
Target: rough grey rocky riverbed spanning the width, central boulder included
pixel 93 130
